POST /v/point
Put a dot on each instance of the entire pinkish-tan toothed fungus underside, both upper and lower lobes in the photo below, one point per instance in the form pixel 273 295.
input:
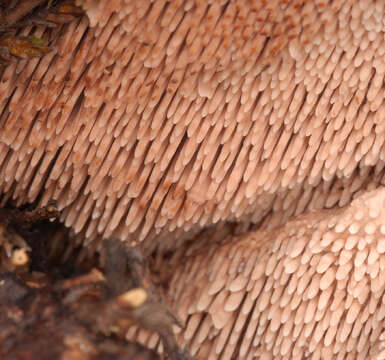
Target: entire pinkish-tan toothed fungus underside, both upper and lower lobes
pixel 154 119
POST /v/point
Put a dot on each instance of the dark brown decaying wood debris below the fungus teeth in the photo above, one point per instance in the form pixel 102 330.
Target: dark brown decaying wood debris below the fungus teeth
pixel 81 314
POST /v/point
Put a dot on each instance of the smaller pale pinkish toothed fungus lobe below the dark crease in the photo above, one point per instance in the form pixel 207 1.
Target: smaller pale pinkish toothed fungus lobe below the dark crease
pixel 311 289
